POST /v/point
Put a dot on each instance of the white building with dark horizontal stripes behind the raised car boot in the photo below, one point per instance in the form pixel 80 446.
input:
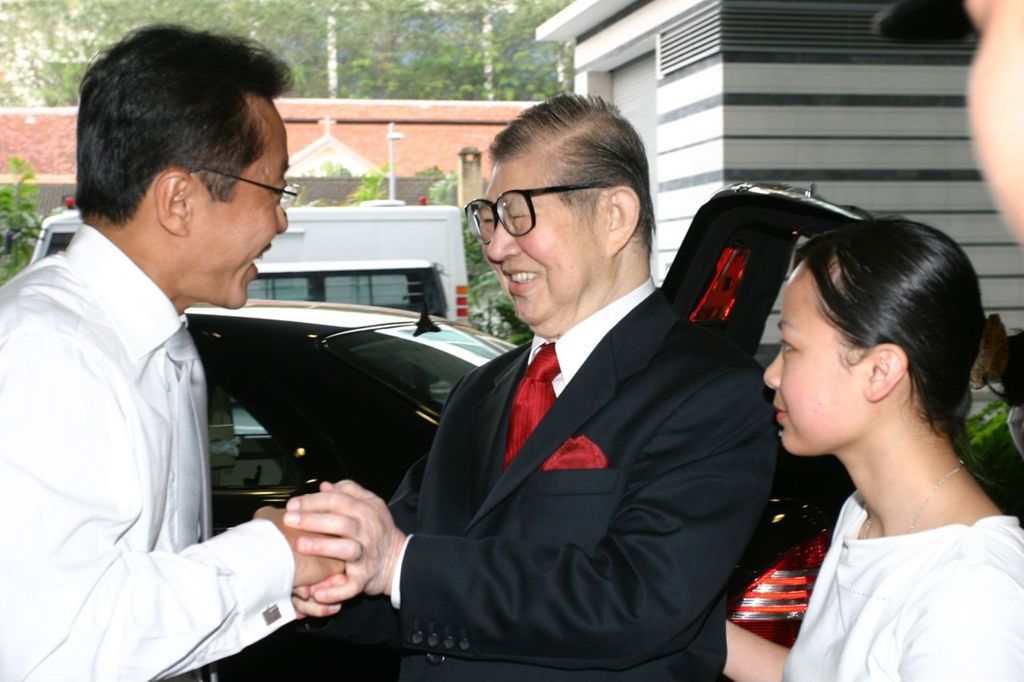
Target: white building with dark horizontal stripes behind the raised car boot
pixel 800 93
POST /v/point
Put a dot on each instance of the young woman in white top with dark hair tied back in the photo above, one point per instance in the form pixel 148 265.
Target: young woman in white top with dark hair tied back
pixel 925 579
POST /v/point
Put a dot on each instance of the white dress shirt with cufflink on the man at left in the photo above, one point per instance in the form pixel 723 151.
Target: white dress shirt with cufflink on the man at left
pixel 95 582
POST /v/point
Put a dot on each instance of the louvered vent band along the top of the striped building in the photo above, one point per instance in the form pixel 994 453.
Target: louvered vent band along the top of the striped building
pixel 782 28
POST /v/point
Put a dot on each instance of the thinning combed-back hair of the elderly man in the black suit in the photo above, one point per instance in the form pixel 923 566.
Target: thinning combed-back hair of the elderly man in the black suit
pixel 595 145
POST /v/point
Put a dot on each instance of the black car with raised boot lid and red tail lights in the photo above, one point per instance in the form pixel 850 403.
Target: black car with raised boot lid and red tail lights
pixel 303 393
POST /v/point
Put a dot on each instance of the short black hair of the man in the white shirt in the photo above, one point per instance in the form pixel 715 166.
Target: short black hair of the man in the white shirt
pixel 167 97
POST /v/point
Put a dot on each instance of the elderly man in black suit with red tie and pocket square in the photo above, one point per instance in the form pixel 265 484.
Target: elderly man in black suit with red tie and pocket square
pixel 588 495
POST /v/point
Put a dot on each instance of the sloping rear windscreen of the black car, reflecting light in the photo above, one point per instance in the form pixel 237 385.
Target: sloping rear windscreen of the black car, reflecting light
pixel 423 367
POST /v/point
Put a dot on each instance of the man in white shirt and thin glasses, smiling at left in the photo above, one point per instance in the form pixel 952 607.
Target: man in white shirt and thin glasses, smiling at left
pixel 182 157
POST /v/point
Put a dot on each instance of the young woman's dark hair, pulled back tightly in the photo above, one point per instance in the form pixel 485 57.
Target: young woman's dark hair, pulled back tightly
pixel 893 281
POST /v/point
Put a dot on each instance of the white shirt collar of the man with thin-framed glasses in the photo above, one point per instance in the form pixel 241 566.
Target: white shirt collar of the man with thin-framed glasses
pixel 140 312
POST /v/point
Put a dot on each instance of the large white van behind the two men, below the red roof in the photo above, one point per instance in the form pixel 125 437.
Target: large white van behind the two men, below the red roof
pixel 319 234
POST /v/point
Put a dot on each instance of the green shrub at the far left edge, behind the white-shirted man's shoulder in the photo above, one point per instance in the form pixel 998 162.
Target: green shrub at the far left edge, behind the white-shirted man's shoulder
pixel 19 221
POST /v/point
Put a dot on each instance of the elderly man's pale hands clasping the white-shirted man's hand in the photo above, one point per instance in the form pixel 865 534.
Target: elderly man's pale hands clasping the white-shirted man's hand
pixel 365 537
